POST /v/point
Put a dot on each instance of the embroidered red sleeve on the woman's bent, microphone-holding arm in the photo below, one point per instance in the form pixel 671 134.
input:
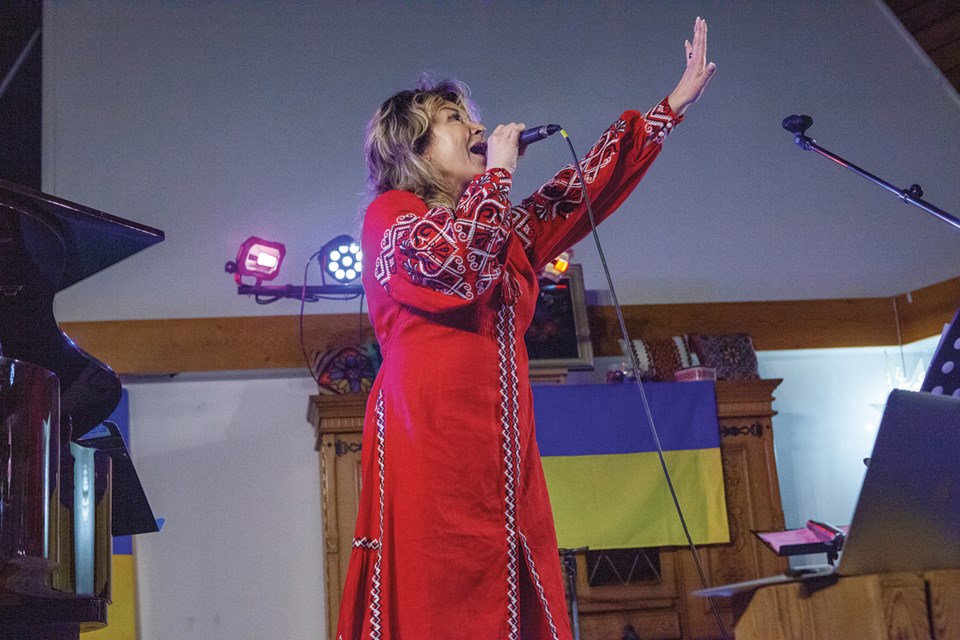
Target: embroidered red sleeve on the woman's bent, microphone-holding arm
pixel 440 259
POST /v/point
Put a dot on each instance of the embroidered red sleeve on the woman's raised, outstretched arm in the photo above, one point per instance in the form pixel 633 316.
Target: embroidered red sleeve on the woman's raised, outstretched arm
pixel 555 218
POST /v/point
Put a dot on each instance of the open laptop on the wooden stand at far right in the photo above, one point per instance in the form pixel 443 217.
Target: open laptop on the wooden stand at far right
pixel 907 517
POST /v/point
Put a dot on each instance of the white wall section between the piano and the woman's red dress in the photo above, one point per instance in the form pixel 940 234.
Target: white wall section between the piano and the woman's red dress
pixel 229 463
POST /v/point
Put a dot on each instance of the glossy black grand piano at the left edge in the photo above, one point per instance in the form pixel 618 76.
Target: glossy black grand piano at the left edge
pixel 67 484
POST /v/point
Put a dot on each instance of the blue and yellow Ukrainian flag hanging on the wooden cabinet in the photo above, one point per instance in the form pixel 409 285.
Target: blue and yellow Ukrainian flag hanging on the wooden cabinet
pixel 606 484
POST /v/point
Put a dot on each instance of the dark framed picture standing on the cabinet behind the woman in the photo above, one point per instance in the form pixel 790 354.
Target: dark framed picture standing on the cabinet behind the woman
pixel 559 335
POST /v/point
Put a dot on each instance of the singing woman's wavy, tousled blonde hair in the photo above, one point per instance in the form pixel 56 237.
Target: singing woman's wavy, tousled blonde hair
pixel 399 132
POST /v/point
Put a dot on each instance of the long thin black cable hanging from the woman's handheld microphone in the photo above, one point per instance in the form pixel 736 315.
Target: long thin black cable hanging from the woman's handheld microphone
pixel 643 396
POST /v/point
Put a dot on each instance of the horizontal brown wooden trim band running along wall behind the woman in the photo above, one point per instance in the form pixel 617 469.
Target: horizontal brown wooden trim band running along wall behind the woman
pixel 273 342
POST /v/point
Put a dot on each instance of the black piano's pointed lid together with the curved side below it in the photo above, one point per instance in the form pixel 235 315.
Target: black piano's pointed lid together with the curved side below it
pixel 46 245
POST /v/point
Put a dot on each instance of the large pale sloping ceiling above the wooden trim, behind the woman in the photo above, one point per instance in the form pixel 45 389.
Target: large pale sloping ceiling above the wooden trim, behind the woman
pixel 218 121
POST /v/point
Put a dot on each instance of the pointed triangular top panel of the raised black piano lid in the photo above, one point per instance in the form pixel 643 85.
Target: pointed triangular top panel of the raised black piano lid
pixel 93 240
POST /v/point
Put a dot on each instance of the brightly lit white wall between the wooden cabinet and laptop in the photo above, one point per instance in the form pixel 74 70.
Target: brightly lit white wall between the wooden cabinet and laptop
pixel 829 407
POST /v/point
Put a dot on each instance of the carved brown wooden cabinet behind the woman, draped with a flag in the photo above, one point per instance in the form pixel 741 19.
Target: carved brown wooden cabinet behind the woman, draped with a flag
pixel 659 607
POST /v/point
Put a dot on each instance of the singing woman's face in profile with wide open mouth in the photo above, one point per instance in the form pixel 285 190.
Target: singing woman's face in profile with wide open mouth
pixel 456 148
